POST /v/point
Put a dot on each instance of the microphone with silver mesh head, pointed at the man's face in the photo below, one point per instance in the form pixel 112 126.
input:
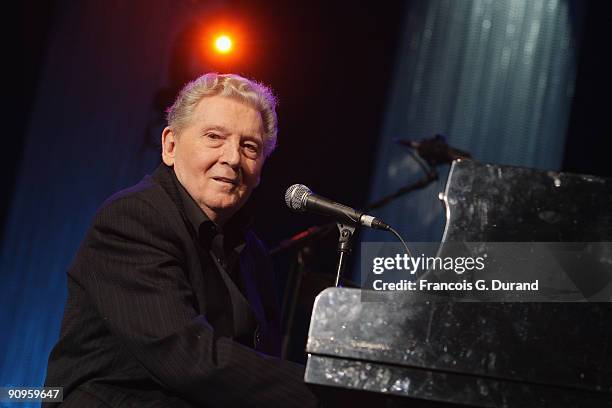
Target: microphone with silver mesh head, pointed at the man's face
pixel 299 198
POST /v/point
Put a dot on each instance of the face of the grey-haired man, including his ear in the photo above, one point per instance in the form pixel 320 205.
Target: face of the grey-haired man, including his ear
pixel 218 157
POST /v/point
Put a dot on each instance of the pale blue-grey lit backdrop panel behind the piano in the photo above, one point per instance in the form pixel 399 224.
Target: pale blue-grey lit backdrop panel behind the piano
pixel 495 77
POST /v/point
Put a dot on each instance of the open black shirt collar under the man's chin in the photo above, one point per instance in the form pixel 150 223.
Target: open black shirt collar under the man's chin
pixel 206 229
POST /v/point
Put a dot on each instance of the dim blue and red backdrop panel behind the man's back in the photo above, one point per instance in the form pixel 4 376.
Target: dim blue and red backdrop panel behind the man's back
pixel 87 138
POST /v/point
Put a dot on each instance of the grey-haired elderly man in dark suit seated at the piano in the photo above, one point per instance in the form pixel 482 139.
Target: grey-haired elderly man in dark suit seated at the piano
pixel 170 297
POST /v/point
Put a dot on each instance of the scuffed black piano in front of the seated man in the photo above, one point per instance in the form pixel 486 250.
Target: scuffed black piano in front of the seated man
pixel 409 350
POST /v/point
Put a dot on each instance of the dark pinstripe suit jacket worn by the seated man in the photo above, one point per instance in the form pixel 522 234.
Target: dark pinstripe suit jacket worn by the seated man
pixel 144 327
